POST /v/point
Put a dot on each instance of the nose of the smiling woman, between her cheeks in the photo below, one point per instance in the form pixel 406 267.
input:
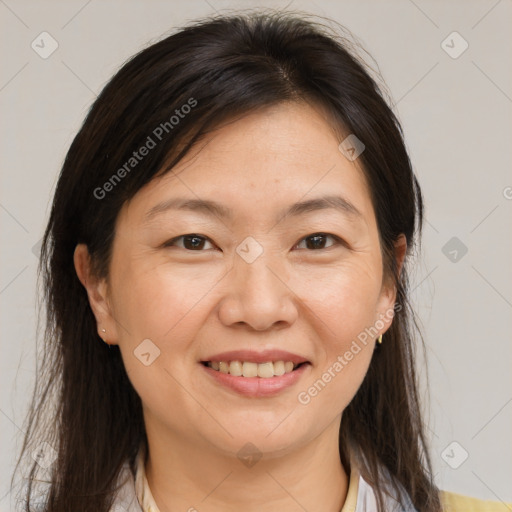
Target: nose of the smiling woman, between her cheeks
pixel 258 295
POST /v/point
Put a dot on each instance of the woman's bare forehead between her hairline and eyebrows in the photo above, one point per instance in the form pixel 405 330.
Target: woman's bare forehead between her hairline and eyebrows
pixel 273 157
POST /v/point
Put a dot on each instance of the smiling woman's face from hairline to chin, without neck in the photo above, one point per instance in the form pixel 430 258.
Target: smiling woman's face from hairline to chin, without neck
pixel 261 246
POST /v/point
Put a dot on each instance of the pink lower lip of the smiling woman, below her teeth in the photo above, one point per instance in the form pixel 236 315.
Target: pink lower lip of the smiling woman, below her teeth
pixel 258 386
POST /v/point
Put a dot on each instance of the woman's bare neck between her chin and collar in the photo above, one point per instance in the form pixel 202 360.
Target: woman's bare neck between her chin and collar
pixel 183 476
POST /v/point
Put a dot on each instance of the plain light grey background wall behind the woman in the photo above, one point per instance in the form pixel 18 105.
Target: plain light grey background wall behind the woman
pixel 456 114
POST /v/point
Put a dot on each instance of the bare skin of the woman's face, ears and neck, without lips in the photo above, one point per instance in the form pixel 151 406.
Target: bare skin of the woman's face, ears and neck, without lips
pixel 194 298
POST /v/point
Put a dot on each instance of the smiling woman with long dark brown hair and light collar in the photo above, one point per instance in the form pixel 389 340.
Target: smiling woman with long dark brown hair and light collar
pixel 234 220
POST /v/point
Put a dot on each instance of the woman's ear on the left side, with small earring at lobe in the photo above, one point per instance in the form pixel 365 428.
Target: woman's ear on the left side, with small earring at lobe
pixel 97 292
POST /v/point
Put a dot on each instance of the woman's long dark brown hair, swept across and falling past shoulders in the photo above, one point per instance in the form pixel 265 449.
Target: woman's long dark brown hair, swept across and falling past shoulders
pixel 84 406
